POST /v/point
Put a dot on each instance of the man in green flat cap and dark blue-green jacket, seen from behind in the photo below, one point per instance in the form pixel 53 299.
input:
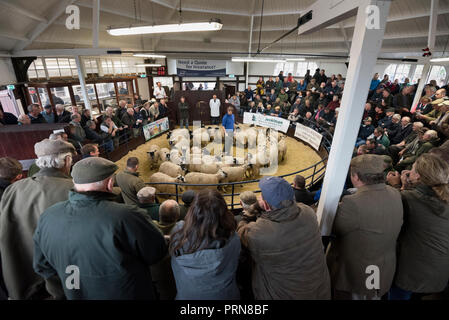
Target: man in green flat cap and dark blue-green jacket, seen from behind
pixel 112 245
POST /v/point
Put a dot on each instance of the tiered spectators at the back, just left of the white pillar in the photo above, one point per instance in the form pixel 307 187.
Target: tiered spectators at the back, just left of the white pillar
pixel 313 101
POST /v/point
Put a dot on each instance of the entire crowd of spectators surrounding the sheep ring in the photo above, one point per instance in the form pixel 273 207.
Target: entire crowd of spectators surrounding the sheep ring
pixel 390 236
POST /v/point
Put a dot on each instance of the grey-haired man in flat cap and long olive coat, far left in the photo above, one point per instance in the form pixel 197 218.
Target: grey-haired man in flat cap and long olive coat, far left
pixel 21 205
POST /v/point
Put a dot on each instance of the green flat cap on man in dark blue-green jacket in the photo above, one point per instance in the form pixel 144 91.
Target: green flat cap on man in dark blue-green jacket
pixel 93 169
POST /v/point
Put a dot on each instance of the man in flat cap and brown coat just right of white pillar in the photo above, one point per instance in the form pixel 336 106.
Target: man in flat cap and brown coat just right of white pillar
pixel 366 227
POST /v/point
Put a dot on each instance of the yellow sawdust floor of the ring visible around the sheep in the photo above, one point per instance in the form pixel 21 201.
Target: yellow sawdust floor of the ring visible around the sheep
pixel 299 156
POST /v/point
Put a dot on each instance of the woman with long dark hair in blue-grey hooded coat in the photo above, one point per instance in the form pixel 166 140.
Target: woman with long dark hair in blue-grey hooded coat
pixel 205 250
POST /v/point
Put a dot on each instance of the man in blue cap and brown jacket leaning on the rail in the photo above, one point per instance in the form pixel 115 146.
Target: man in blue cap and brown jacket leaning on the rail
pixel 285 246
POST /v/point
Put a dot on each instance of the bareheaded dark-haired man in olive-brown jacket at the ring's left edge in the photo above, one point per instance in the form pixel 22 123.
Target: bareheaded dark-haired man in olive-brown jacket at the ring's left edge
pixel 129 181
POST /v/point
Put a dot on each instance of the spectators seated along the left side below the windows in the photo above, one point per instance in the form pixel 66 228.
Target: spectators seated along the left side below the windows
pixel 107 130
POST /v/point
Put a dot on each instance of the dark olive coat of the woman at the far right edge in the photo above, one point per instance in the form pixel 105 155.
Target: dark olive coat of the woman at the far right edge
pixel 423 254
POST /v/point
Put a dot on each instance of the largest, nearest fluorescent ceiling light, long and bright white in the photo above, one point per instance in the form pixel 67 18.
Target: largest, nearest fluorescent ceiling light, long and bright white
pixel 166 28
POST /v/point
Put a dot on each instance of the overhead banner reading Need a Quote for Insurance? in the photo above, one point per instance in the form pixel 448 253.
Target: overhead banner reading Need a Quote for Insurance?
pixel 200 68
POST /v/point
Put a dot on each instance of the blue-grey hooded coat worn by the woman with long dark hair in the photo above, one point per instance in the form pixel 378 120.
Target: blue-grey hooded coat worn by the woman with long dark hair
pixel 208 274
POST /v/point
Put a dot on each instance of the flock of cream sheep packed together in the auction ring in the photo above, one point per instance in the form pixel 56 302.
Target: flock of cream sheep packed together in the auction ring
pixel 197 157
